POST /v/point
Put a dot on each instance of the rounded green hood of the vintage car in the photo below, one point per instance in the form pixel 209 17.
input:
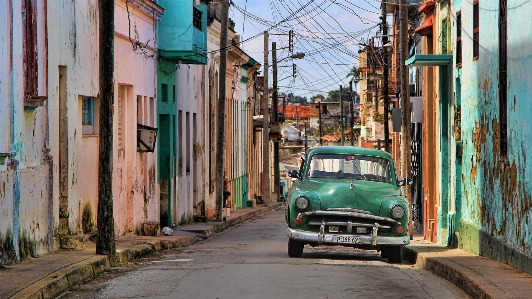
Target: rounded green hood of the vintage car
pixel 353 194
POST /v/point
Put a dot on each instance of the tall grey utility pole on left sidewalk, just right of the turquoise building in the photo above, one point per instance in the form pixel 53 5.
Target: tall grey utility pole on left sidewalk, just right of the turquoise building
pixel 220 119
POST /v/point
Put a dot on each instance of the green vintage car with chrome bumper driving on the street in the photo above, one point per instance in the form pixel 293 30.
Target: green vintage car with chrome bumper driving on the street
pixel 347 196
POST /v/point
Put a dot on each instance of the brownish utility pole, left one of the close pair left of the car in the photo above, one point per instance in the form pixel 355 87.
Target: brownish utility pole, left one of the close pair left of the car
pixel 265 128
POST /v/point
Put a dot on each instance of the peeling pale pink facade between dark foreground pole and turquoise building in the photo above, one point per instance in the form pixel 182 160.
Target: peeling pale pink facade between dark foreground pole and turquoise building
pixel 135 193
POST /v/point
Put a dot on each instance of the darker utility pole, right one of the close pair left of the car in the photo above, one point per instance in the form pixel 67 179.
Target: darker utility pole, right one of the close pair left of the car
pixel 275 116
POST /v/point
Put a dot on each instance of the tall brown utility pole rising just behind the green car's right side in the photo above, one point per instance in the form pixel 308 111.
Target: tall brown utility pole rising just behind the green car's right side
pixel 405 104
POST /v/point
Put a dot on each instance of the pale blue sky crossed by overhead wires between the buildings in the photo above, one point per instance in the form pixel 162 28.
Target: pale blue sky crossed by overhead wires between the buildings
pixel 329 32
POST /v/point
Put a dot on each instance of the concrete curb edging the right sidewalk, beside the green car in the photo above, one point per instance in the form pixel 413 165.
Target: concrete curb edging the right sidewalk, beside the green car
pixel 464 278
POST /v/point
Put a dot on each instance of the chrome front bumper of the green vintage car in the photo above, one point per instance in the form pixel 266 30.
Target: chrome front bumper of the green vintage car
pixel 327 238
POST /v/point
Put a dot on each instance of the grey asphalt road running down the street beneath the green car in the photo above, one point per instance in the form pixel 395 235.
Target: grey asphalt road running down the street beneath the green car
pixel 250 260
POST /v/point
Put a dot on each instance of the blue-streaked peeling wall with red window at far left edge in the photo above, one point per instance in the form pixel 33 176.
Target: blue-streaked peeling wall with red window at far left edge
pixel 25 226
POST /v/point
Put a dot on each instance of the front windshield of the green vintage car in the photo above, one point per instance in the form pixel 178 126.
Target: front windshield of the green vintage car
pixel 359 167
